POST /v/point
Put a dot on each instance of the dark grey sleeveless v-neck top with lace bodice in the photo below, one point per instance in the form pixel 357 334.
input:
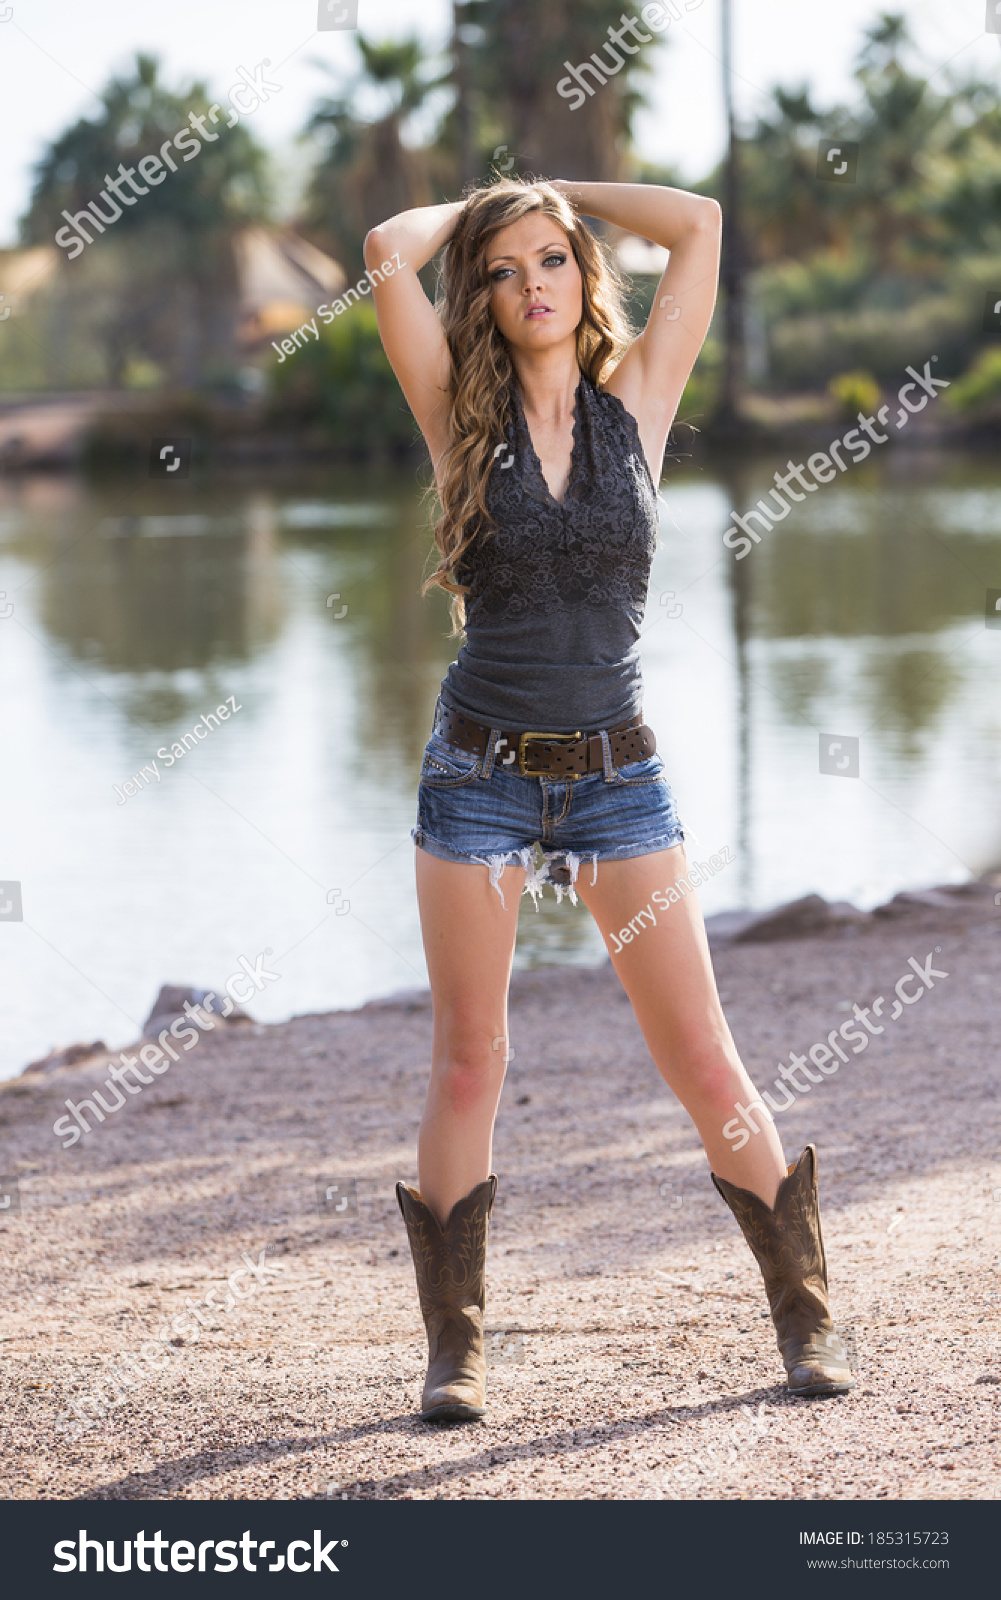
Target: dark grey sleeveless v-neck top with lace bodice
pixel 559 590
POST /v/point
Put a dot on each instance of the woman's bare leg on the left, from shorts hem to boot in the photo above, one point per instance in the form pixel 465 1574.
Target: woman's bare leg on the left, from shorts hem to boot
pixel 469 943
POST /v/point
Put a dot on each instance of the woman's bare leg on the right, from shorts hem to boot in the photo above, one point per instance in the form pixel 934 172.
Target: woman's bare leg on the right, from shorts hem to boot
pixel 668 975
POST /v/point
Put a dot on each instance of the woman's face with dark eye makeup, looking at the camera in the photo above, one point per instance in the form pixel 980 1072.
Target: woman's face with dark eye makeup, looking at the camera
pixel 538 295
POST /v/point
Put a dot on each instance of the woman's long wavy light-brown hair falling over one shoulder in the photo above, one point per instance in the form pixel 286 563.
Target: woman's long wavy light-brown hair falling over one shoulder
pixel 482 369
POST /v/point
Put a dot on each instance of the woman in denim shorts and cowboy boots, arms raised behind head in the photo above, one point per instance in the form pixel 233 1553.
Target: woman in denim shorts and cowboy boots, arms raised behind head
pixel 546 428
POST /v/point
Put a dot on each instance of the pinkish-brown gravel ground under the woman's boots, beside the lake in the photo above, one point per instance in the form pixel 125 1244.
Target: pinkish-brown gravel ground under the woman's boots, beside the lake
pixel 632 1358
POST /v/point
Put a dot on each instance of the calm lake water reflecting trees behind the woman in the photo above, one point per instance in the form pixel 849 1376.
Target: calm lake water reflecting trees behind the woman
pixel 129 610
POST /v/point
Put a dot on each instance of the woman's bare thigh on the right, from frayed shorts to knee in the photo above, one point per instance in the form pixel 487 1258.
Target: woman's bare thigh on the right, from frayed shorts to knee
pixel 661 956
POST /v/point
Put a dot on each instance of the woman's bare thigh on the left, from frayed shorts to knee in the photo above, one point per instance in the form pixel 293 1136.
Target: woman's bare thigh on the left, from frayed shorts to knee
pixel 469 943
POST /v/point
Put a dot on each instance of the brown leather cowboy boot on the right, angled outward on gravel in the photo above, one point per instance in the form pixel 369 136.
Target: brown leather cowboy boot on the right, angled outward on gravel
pixel 789 1247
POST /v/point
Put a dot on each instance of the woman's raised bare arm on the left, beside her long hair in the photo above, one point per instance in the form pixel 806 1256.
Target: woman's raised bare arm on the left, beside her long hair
pixel 409 324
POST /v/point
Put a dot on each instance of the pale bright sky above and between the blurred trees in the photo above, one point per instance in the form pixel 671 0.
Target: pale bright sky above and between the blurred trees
pixel 57 55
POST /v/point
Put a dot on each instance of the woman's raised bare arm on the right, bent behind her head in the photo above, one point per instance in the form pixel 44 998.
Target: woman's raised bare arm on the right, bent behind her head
pixel 652 377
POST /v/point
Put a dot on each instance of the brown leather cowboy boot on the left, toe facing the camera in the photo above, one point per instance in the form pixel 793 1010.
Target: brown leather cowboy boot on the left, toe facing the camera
pixel 450 1266
